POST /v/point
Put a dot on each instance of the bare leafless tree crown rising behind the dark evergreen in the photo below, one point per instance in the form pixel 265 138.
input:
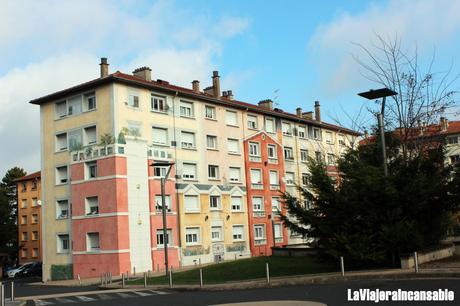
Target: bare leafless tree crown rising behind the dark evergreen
pixel 423 95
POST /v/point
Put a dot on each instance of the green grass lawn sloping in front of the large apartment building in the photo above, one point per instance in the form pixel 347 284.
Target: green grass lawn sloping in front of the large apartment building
pixel 245 269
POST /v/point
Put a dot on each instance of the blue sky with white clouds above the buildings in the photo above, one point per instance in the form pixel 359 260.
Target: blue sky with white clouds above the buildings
pixel 293 52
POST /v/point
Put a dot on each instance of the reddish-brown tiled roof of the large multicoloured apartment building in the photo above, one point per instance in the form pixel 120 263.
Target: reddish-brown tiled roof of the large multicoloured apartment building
pixel 164 86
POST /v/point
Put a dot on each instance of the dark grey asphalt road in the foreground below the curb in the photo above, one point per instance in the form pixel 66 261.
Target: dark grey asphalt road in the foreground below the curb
pixel 330 294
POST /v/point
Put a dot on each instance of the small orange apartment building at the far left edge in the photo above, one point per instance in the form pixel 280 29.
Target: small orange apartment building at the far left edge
pixel 29 218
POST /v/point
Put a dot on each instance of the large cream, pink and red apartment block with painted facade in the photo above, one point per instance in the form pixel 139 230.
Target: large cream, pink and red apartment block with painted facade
pixel 102 142
